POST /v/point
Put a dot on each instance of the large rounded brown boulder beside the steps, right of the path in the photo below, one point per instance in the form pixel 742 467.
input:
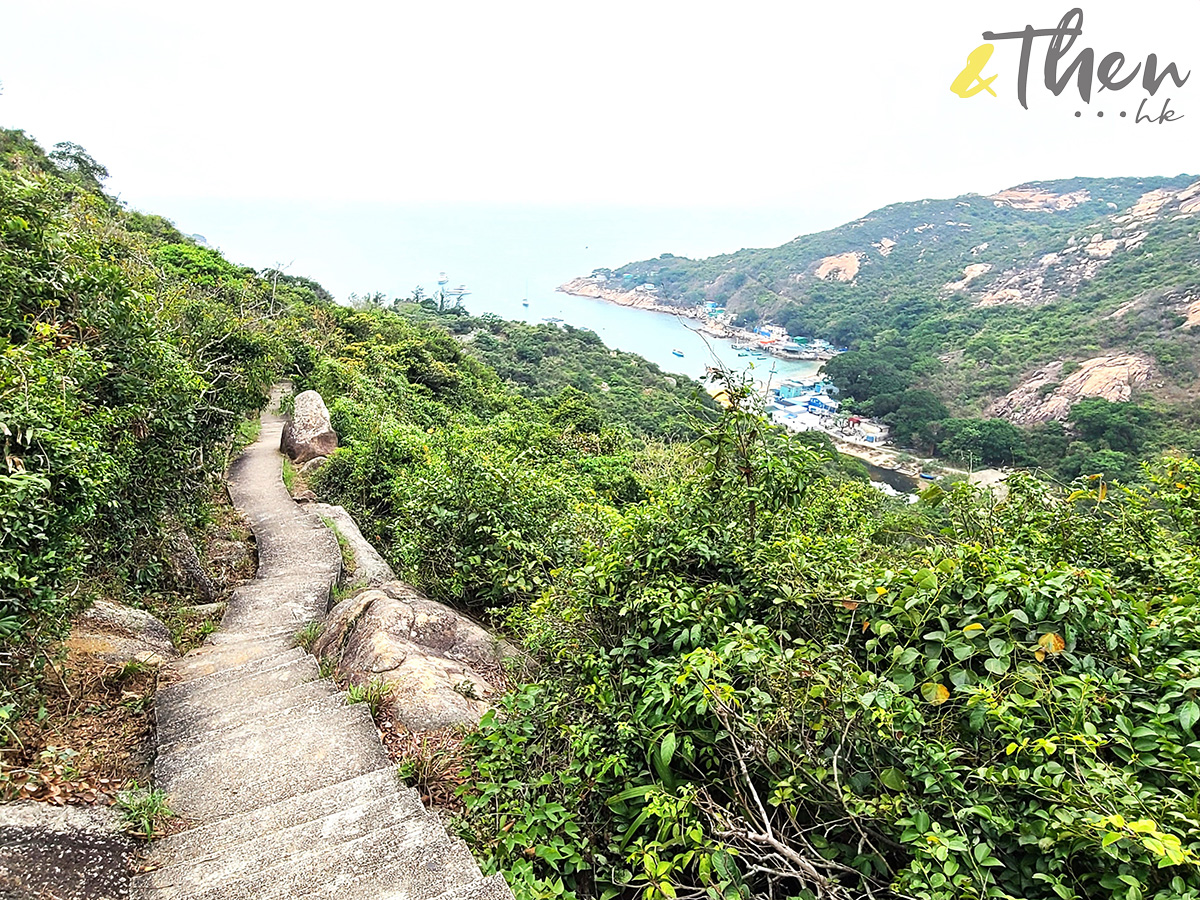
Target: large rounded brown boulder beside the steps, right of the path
pixel 440 665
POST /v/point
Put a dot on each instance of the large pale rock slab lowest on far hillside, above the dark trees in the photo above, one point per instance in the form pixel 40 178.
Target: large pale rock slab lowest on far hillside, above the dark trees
pixel 1047 395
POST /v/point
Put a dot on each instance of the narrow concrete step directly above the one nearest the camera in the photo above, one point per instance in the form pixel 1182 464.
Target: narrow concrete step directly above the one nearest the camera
pixel 350 824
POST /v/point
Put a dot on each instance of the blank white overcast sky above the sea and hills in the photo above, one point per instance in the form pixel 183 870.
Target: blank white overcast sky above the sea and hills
pixel 567 103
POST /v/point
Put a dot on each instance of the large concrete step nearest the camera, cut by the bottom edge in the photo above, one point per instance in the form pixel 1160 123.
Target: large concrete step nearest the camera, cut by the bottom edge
pixel 416 865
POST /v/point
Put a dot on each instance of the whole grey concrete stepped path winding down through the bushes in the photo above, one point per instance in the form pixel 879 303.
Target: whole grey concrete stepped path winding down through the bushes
pixel 286 790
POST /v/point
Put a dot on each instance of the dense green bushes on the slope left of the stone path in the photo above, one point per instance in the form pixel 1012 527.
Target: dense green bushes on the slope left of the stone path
pixel 128 357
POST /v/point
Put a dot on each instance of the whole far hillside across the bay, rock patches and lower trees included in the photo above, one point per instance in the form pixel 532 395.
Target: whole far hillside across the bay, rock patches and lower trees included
pixel 1011 309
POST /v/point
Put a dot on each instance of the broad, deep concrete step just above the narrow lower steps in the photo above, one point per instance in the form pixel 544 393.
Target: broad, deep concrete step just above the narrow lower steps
pixel 220 789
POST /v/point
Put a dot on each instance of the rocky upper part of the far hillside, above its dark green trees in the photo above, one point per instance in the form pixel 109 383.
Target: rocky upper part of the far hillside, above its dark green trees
pixel 991 295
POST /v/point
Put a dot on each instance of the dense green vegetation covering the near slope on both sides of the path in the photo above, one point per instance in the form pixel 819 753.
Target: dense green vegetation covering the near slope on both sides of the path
pixel 754 676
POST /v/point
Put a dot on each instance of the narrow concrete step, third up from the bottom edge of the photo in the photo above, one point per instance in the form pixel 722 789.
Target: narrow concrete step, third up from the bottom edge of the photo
pixel 207 841
